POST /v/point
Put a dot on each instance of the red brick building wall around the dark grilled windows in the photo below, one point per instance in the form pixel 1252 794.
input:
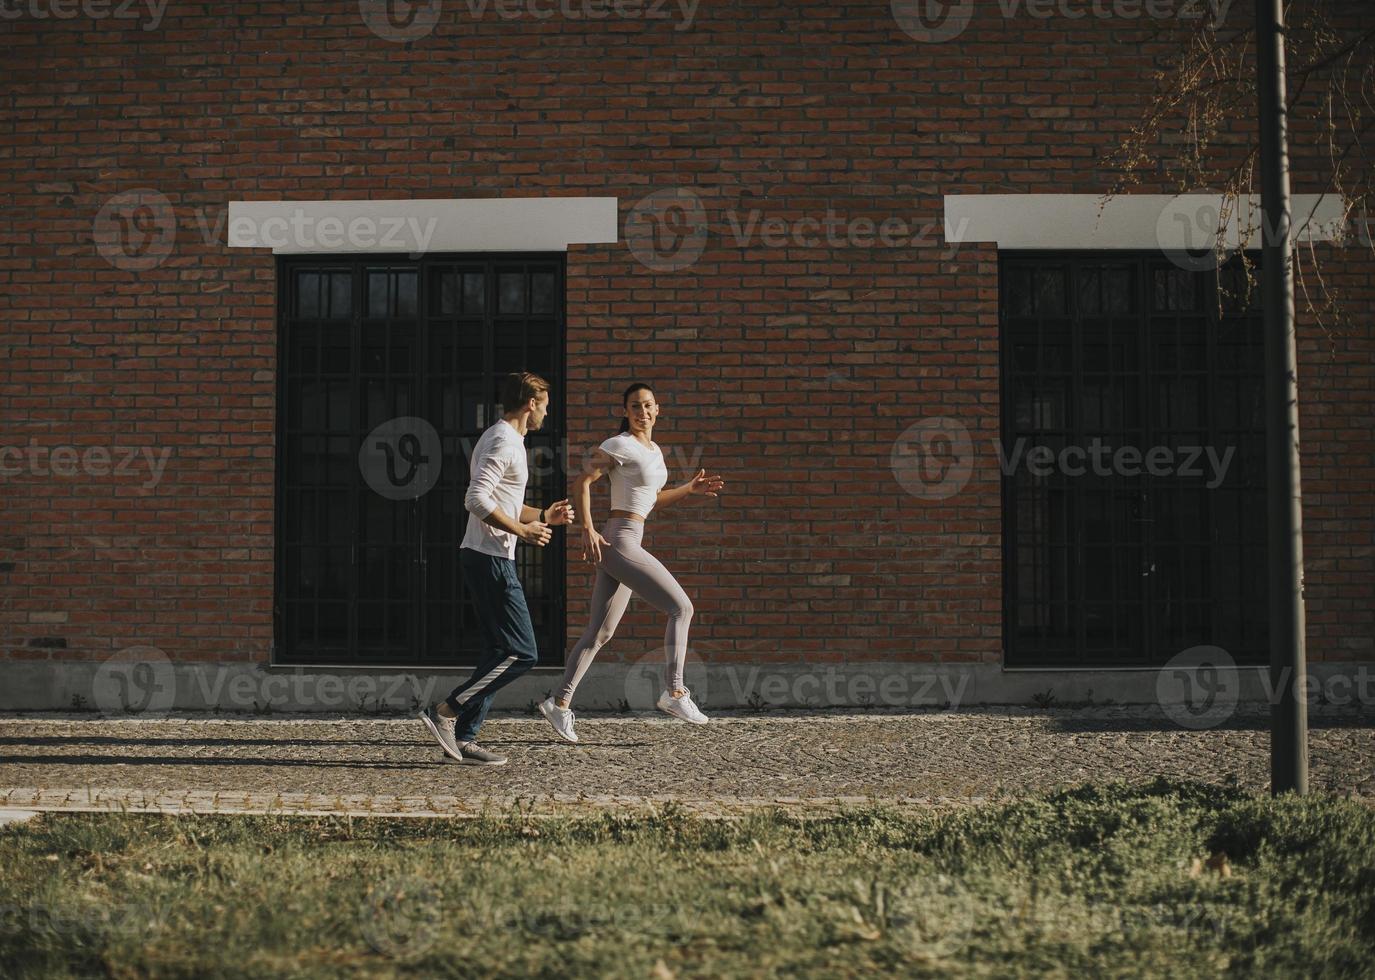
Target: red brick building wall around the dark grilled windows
pixel 793 369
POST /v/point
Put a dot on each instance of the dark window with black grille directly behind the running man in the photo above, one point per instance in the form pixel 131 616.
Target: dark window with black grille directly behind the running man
pixel 391 370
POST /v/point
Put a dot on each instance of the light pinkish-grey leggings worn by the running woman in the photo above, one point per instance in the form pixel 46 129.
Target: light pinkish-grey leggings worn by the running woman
pixel 628 568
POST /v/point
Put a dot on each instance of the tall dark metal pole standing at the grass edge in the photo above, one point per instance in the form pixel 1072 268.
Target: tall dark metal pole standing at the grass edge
pixel 1289 711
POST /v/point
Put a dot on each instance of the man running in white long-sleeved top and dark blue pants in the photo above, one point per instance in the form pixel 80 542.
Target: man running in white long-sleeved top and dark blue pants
pixel 497 519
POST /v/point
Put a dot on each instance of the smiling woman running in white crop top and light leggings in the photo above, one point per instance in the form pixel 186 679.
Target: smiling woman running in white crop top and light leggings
pixel 639 475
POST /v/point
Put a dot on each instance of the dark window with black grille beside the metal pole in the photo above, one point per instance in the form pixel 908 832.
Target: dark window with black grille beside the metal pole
pixel 1114 557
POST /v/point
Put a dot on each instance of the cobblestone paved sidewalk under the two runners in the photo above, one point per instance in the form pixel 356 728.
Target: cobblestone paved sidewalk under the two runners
pixel 809 762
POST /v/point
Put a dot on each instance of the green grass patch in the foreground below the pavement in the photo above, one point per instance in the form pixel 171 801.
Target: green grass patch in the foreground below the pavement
pixel 1165 879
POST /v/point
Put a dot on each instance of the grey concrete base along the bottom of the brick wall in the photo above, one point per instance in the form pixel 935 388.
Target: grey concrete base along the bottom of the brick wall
pixel 152 685
